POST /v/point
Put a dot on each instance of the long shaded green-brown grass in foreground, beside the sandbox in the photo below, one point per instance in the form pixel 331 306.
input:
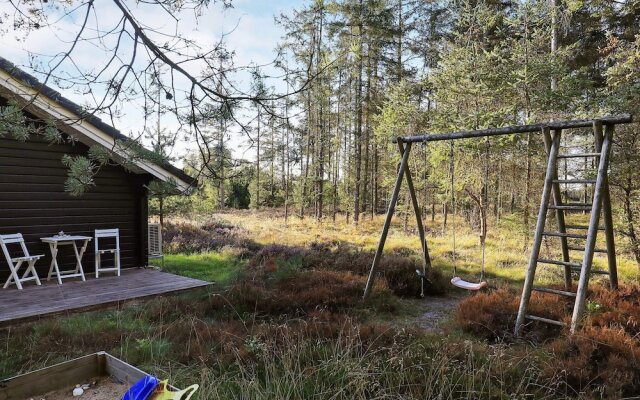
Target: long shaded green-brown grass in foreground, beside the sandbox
pixel 325 357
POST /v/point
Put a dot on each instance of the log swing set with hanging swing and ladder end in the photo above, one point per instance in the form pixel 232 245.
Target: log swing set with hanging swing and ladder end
pixel 603 129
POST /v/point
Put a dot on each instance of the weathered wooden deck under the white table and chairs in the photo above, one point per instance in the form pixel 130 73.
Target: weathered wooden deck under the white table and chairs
pixel 74 295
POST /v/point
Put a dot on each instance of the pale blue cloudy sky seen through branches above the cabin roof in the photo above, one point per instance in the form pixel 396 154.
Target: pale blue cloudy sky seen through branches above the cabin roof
pixel 249 29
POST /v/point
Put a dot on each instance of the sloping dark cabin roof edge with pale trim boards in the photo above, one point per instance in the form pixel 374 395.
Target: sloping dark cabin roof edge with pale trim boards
pixel 44 101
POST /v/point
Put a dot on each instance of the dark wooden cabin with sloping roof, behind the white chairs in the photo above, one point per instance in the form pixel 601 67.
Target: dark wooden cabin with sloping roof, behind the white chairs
pixel 33 200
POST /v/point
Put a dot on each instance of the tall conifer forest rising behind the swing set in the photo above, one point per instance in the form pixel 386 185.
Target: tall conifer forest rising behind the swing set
pixel 377 70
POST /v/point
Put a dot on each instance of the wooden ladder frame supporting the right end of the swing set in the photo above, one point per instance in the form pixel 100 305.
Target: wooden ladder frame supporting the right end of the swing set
pixel 601 204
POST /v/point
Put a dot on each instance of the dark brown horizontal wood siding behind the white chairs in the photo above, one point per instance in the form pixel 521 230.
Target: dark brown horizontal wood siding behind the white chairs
pixel 33 202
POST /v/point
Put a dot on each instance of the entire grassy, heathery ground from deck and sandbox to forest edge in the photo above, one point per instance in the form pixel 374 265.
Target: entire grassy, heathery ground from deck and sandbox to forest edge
pixel 285 318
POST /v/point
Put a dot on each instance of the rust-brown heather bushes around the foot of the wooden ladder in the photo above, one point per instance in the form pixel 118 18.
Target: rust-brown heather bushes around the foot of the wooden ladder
pixel 602 359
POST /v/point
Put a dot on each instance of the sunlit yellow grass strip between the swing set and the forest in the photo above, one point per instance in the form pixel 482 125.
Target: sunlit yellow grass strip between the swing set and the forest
pixel 506 255
